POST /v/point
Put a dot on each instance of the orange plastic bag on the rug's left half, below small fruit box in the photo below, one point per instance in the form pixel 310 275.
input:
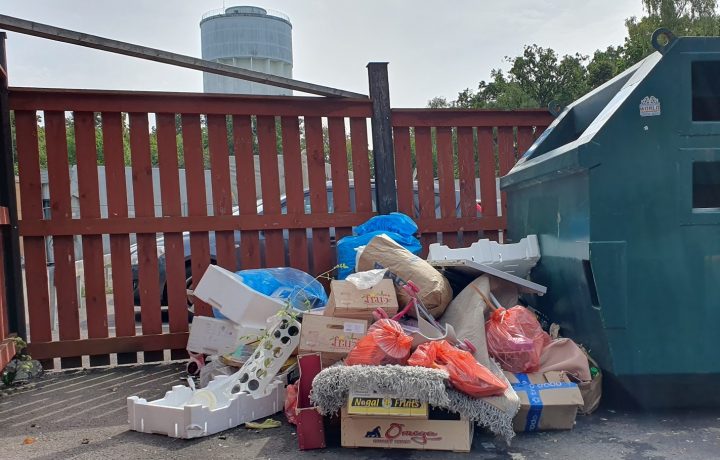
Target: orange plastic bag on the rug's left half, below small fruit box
pixel 385 343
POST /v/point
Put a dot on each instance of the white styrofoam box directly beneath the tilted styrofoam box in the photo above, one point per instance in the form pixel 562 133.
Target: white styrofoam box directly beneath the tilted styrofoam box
pixel 212 336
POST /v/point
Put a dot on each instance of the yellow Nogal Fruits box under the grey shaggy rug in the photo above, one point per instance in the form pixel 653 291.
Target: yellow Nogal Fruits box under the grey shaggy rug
pixel 365 402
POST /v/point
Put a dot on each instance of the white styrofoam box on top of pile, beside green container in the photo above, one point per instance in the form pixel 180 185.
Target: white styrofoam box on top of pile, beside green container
pixel 517 258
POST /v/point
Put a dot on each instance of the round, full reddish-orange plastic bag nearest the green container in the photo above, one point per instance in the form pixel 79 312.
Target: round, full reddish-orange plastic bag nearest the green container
pixel 515 339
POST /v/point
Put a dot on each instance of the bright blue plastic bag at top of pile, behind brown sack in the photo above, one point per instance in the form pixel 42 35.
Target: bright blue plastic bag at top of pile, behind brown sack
pixel 396 225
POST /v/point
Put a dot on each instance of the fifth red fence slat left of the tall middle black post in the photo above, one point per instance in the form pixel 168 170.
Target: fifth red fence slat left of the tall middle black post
pixel 270 185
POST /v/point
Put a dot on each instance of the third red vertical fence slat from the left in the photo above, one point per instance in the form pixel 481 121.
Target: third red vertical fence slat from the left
pixel 92 247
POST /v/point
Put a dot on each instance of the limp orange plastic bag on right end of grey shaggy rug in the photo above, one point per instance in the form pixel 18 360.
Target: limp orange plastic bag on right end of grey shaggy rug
pixel 466 374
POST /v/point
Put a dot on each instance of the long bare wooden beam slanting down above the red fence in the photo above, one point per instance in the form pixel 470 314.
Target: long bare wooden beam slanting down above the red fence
pixel 49 32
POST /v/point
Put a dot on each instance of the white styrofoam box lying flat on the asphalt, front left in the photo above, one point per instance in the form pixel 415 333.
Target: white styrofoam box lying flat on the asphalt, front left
pixel 171 415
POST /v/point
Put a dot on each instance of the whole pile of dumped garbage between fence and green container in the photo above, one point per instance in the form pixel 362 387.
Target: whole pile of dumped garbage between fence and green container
pixel 407 353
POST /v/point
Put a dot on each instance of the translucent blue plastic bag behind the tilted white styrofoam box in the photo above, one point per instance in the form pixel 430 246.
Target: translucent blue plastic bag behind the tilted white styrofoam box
pixel 301 290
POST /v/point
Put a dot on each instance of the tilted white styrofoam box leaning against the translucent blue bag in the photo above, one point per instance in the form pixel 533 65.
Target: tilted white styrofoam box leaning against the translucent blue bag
pixel 235 300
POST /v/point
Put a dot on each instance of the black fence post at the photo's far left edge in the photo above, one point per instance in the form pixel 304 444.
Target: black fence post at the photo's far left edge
pixel 10 238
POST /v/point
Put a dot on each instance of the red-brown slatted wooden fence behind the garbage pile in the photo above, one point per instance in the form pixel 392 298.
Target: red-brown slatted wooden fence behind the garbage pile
pixel 202 130
